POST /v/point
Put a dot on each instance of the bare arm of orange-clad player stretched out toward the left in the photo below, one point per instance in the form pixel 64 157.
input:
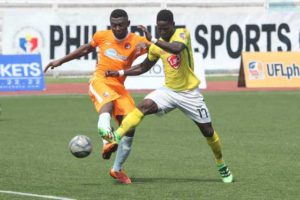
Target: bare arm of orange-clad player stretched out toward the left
pixel 81 51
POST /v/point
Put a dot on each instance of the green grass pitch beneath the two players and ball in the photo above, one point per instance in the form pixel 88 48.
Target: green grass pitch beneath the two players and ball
pixel 170 158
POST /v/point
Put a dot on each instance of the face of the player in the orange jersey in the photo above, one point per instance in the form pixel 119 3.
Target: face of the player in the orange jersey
pixel 119 26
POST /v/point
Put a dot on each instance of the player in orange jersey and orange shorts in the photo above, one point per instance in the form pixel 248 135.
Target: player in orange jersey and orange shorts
pixel 119 49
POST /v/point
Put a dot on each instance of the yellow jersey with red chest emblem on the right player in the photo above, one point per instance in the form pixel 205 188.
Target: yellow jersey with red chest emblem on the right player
pixel 178 69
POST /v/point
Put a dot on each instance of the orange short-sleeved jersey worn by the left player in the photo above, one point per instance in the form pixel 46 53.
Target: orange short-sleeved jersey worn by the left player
pixel 116 54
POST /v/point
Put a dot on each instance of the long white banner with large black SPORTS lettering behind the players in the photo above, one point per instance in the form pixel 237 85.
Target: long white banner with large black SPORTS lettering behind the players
pixel 218 37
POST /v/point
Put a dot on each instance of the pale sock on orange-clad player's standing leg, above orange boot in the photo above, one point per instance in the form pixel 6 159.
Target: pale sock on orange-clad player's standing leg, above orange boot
pixel 122 152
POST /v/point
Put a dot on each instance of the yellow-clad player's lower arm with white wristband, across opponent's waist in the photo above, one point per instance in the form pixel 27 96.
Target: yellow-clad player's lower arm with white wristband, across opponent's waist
pixel 136 70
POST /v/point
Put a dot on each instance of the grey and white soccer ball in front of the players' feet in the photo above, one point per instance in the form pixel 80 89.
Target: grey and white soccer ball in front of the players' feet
pixel 80 146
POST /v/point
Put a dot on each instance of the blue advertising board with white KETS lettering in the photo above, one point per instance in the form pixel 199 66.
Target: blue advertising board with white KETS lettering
pixel 21 72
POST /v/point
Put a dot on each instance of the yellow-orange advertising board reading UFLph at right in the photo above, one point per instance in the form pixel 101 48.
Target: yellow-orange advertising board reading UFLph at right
pixel 270 69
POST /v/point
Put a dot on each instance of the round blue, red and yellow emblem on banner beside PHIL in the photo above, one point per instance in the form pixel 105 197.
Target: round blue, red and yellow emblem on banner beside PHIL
pixel 28 40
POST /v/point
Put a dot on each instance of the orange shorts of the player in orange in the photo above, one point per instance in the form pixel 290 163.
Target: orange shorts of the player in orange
pixel 102 93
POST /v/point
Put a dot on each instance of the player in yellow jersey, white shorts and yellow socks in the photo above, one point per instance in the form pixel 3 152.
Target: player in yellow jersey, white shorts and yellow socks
pixel 180 90
